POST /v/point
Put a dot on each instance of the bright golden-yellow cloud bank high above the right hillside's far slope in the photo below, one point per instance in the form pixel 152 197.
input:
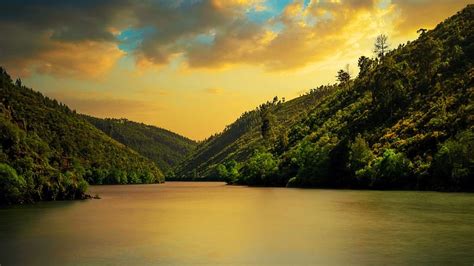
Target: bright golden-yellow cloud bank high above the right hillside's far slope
pixel 321 30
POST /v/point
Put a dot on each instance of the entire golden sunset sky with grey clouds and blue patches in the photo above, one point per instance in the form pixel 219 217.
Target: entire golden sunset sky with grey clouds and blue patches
pixel 193 66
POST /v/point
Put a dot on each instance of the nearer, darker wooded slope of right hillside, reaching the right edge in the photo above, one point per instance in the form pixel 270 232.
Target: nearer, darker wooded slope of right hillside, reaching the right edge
pixel 406 121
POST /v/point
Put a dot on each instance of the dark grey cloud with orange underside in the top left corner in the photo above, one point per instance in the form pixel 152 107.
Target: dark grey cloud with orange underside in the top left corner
pixel 34 33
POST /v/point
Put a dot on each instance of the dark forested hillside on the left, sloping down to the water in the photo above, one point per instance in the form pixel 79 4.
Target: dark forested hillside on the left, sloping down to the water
pixel 48 152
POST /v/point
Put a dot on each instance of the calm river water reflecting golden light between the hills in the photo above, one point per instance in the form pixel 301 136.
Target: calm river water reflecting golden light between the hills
pixel 210 223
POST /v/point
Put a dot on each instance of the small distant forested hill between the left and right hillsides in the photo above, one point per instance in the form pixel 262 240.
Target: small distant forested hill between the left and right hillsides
pixel 163 147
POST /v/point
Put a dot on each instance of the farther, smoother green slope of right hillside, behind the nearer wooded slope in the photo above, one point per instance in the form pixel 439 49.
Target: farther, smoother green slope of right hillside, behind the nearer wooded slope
pixel 240 138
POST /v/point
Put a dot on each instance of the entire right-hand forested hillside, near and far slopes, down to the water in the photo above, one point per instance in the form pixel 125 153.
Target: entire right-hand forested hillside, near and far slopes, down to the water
pixel 405 122
